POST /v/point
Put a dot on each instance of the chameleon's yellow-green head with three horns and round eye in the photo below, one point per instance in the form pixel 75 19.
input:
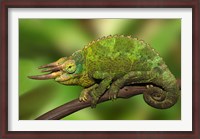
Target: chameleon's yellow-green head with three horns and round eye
pixel 65 70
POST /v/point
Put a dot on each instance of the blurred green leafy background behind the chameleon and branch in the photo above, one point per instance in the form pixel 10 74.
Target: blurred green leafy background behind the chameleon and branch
pixel 42 41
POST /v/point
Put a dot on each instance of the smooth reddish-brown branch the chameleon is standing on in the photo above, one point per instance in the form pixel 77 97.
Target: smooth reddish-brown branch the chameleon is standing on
pixel 75 105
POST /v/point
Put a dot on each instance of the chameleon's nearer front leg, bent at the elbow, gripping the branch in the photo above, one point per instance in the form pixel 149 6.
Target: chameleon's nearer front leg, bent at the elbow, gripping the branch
pixel 100 90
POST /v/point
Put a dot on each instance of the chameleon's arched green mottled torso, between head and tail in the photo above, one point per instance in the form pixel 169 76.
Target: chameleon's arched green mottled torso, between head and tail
pixel 119 54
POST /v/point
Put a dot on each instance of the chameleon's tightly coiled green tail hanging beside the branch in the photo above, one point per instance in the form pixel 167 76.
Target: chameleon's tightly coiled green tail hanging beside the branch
pixel 165 97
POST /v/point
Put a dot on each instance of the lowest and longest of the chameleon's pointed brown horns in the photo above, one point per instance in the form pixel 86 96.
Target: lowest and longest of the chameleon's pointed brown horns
pixel 45 76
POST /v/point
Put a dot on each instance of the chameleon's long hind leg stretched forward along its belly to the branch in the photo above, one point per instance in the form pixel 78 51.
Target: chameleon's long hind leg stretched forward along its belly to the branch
pixel 131 77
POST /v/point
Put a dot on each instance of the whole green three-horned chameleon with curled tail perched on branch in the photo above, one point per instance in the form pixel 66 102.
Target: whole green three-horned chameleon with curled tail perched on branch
pixel 112 62
